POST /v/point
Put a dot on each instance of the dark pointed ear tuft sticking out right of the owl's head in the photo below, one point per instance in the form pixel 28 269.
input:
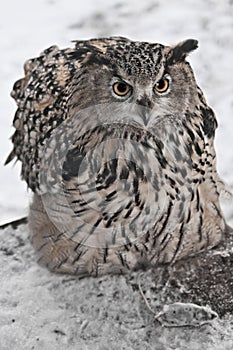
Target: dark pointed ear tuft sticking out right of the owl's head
pixel 181 50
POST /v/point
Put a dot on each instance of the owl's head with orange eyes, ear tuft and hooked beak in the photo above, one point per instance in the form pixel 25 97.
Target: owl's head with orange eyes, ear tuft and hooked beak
pixel 138 83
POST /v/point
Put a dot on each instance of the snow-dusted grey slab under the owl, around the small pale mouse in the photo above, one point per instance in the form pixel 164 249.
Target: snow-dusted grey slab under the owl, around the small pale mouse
pixel 41 311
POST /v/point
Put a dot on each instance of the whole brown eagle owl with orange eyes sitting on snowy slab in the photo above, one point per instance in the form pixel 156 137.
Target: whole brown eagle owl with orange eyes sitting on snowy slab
pixel 116 141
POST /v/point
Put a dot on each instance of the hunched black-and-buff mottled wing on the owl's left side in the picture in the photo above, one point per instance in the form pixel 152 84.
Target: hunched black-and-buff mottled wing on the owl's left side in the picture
pixel 41 97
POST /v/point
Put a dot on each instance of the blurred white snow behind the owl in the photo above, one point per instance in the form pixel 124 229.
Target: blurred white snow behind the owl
pixel 27 27
